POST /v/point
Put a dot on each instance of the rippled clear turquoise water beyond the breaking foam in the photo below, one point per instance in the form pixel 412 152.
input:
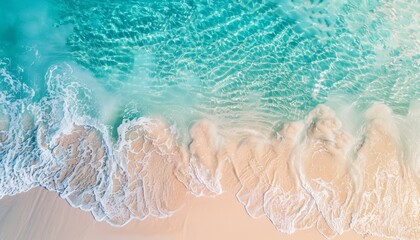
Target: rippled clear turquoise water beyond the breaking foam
pixel 219 57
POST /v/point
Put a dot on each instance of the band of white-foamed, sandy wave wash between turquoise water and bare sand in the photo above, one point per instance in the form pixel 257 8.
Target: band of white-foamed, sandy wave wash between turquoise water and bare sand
pixel 312 173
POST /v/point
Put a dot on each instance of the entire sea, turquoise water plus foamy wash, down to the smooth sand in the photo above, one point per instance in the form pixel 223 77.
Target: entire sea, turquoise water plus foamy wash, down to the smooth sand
pixel 314 105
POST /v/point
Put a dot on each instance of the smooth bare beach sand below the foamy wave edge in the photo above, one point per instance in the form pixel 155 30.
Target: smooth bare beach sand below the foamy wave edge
pixel 39 214
